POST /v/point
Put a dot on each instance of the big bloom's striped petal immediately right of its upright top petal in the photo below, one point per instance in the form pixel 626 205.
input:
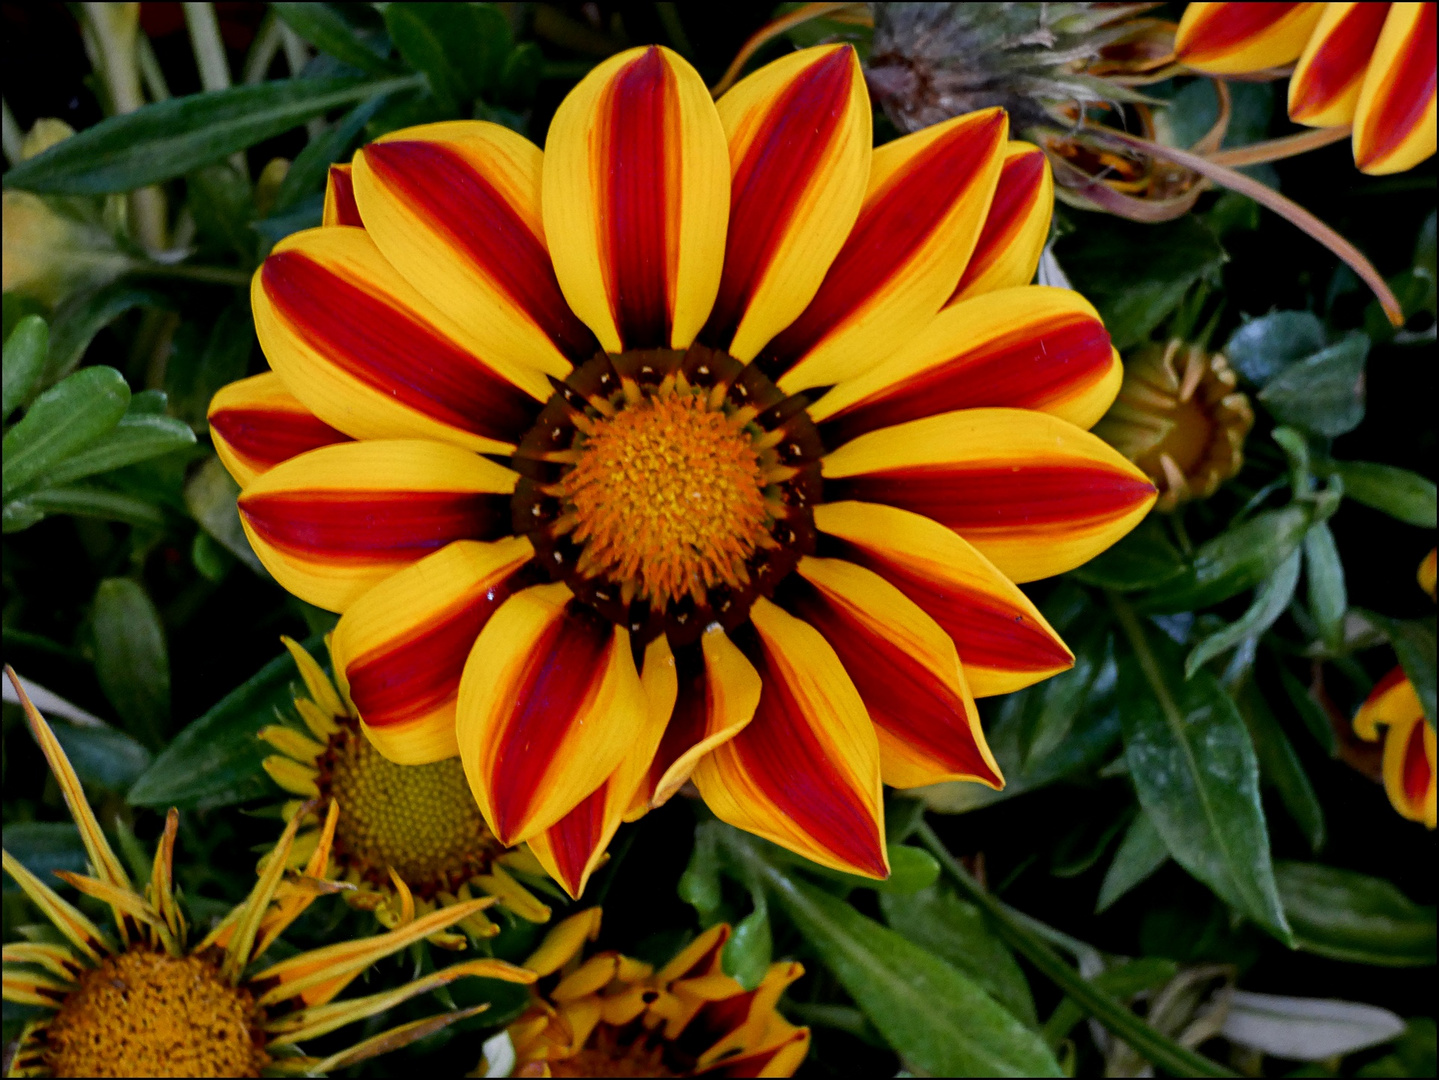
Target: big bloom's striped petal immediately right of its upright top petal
pixel 799 134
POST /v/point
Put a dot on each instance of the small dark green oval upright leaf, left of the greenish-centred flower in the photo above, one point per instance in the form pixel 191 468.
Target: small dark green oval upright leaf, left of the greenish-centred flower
pixel 132 658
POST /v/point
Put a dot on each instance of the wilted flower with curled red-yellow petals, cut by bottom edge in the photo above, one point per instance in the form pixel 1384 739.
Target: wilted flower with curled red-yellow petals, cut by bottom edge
pixel 615 1016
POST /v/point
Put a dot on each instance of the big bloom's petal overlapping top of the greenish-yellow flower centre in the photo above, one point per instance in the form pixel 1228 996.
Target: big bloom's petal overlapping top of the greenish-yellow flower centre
pixel 402 646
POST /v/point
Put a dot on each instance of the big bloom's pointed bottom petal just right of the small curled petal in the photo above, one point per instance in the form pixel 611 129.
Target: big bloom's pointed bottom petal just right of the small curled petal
pixel 805 772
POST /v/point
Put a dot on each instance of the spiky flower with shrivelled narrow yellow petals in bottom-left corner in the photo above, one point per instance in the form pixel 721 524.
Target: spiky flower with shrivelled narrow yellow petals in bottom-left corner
pixel 143 1003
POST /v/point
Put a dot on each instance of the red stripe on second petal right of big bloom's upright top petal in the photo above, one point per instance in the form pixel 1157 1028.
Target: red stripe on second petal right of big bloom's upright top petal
pixel 889 232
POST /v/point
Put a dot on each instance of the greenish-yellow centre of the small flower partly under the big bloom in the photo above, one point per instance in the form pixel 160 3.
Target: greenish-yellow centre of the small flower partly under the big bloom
pixel 419 819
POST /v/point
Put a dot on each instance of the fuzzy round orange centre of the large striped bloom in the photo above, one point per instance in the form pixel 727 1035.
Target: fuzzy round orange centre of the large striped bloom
pixel 668 498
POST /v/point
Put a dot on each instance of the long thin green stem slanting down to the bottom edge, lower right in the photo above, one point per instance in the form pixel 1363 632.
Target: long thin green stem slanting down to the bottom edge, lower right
pixel 1161 1051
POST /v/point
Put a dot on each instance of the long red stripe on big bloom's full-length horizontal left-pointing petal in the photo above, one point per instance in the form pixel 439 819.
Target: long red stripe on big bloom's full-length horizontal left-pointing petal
pixel 373 526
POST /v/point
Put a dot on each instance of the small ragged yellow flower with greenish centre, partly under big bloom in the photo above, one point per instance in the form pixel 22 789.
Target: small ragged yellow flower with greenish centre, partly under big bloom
pixel 411 839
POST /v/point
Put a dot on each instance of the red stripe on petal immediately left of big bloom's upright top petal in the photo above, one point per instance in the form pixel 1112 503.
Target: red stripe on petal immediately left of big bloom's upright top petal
pixel 477 219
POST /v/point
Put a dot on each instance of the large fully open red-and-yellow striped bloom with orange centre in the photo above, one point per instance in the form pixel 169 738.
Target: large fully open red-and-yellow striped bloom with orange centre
pixel 782 425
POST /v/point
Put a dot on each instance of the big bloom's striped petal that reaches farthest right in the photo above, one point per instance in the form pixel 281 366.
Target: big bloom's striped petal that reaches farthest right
pixel 1035 494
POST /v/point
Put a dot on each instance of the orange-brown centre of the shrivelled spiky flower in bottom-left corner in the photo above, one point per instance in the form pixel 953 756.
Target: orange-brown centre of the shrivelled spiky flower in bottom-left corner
pixel 153 1015
